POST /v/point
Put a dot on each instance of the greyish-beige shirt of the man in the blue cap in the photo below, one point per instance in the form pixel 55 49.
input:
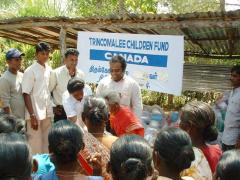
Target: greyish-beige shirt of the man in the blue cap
pixel 11 93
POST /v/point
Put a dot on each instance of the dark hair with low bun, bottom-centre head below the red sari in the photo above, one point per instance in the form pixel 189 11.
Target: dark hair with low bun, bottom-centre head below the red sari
pixel 130 158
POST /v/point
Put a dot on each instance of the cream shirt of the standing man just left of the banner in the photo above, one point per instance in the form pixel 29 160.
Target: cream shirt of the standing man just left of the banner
pixel 58 82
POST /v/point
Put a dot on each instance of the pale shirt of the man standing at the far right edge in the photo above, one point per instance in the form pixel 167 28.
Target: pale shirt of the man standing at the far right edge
pixel 231 131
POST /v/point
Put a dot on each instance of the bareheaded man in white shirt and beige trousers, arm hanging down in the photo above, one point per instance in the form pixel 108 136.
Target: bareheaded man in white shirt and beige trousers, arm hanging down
pixel 35 88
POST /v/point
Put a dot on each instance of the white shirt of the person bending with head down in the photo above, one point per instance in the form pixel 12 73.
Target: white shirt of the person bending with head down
pixel 72 106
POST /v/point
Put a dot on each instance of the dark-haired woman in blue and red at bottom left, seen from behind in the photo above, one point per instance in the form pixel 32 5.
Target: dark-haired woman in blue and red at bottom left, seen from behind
pixel 65 142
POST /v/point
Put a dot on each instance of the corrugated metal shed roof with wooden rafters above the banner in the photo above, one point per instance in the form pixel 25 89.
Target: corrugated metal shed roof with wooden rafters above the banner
pixel 209 34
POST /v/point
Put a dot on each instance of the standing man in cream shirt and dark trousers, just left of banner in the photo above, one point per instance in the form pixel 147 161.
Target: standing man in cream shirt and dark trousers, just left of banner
pixel 59 80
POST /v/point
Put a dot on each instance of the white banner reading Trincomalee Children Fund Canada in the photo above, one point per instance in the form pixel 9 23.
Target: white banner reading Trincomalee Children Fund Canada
pixel 154 61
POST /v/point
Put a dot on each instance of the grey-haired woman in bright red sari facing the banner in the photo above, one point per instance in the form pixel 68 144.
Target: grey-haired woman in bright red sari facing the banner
pixel 122 119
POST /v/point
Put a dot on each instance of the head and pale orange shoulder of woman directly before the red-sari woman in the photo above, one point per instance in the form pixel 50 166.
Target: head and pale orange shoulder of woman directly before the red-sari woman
pixel 95 116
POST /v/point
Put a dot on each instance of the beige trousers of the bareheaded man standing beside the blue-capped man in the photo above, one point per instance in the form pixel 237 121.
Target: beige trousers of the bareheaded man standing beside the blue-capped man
pixel 38 139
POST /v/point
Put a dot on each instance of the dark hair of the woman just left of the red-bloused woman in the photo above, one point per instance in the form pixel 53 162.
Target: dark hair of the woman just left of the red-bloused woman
pixel 174 147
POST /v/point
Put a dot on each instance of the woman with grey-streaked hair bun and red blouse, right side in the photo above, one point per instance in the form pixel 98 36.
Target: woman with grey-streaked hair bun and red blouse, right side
pixel 198 120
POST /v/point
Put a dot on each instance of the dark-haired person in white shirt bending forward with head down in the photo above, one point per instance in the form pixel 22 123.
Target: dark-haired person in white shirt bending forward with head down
pixel 73 100
